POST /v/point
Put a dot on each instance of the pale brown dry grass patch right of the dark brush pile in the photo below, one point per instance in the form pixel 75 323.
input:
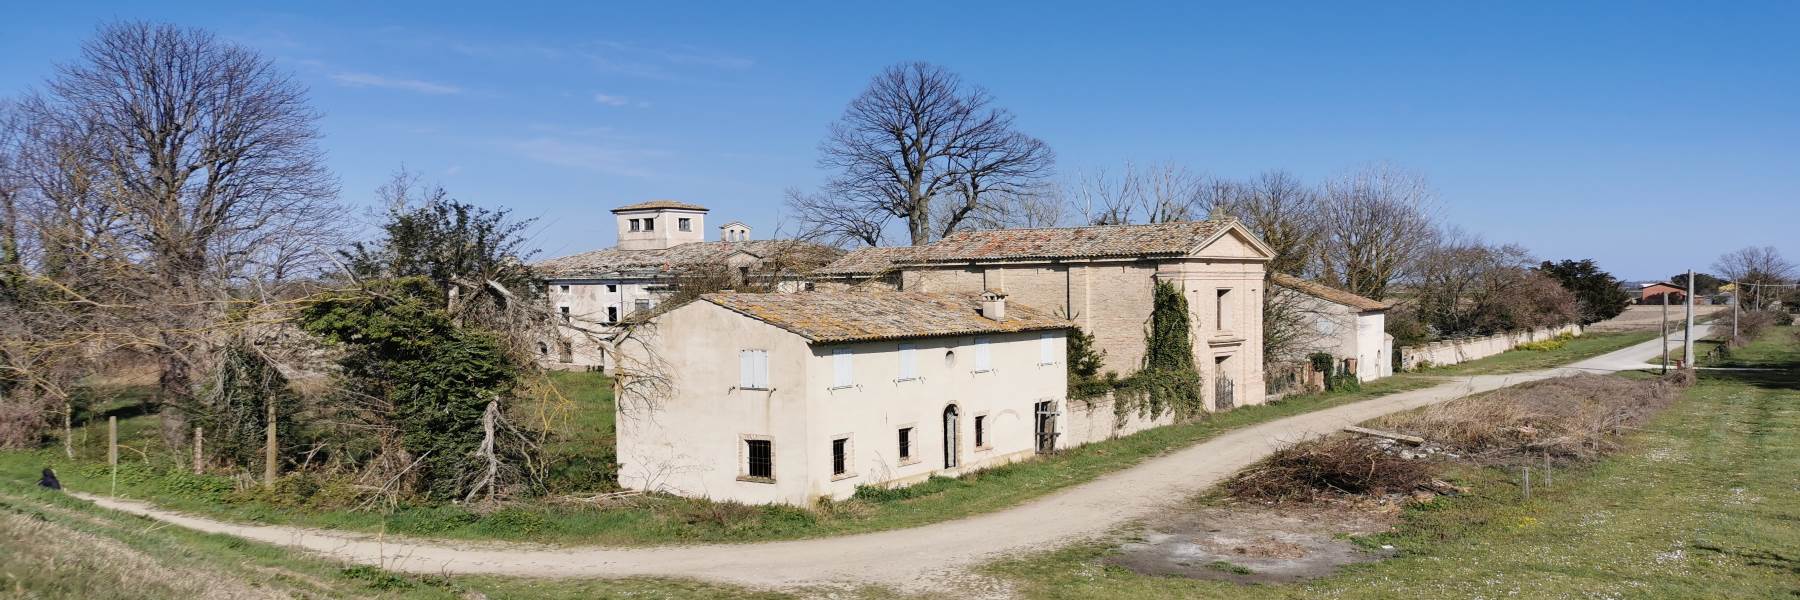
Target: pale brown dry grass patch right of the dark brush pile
pixel 1570 417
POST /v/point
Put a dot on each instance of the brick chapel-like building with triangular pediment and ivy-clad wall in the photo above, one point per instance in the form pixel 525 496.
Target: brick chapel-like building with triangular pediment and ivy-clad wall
pixel 1102 278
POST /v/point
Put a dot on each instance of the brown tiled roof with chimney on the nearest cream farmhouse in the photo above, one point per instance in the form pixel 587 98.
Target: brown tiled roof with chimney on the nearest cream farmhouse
pixel 872 316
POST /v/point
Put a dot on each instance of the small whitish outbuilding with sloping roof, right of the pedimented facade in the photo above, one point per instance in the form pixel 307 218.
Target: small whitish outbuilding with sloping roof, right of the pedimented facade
pixel 1344 325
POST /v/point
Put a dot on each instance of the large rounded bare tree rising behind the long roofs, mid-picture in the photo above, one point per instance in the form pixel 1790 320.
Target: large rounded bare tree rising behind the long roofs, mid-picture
pixel 922 147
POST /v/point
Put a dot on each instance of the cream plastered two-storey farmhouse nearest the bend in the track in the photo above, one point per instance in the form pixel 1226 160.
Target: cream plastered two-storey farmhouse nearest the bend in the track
pixel 795 397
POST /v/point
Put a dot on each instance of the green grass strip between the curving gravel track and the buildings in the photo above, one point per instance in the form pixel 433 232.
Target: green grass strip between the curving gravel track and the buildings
pixel 660 520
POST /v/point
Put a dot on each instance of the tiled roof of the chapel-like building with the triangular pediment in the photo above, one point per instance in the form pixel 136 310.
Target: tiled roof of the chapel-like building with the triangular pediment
pixel 1074 242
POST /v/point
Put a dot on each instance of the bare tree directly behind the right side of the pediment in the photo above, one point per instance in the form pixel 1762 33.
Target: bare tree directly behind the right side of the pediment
pixel 1282 212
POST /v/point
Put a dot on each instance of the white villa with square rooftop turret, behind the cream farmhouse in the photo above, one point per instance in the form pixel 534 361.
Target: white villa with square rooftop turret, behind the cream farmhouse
pixel 660 246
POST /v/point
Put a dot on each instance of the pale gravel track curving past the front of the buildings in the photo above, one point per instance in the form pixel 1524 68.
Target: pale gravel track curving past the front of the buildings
pixel 904 559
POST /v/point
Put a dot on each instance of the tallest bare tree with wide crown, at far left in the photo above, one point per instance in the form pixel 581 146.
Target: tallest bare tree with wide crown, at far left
pixel 211 159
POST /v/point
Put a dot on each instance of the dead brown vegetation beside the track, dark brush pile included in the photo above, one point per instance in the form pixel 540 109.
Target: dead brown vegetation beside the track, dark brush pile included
pixel 1567 419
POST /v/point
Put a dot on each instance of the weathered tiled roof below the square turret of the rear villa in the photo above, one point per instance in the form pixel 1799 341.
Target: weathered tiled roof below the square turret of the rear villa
pixel 672 260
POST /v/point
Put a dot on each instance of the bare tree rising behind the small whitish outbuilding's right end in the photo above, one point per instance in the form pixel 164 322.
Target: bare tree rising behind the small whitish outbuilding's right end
pixel 1374 224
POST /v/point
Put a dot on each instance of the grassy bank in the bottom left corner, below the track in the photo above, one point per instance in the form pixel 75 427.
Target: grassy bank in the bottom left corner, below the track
pixel 55 547
